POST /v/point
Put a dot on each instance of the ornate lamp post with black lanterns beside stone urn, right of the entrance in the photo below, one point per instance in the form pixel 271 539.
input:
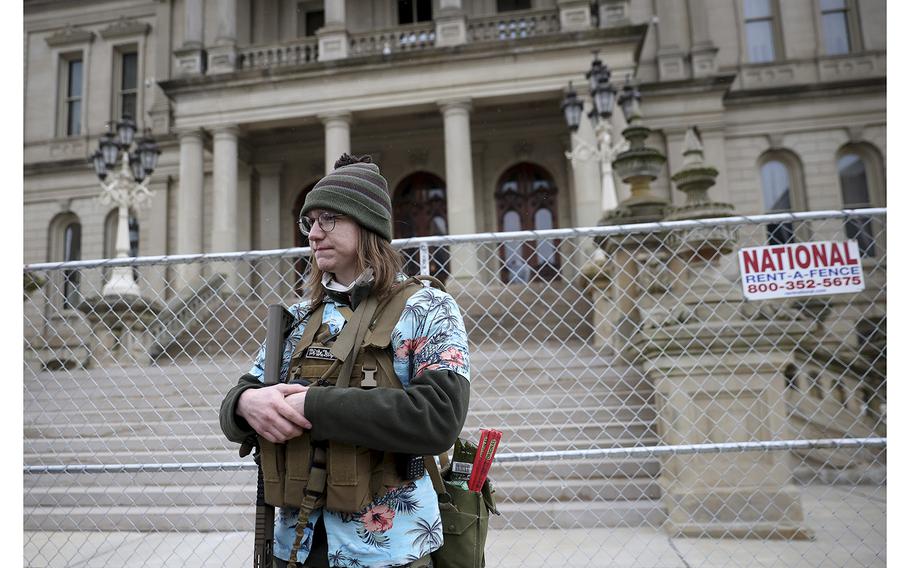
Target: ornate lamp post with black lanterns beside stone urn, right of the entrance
pixel 604 99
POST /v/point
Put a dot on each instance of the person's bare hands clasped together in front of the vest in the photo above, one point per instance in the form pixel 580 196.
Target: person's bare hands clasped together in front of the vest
pixel 270 415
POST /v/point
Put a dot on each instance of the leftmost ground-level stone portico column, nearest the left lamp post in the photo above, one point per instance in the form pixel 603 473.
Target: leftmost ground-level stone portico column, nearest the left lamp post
pixel 189 206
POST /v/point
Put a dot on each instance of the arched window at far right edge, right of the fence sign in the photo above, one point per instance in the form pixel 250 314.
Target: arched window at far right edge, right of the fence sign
pixel 858 172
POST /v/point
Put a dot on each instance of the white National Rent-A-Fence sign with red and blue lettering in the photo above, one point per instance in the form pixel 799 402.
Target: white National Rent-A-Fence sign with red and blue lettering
pixel 803 269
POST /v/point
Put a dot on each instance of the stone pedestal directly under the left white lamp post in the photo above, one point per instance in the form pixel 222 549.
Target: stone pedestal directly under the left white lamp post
pixel 122 328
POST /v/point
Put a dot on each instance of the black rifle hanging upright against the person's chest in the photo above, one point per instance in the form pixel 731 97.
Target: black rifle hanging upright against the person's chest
pixel 279 320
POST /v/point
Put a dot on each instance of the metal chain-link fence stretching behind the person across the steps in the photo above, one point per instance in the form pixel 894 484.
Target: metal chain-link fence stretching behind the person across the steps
pixel 652 416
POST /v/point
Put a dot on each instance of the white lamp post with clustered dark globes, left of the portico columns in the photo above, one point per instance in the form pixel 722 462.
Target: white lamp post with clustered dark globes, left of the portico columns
pixel 127 188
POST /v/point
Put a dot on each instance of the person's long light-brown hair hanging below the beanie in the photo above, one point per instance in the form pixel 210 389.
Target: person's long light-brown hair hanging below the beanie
pixel 373 251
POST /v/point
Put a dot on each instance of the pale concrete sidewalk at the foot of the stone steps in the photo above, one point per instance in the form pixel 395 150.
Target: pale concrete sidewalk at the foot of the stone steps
pixel 849 525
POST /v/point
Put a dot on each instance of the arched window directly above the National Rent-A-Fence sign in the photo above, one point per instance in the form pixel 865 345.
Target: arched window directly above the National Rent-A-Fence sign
pixel 781 183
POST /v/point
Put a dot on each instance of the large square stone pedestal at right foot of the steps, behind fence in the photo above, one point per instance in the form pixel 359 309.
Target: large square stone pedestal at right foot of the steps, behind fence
pixel 723 382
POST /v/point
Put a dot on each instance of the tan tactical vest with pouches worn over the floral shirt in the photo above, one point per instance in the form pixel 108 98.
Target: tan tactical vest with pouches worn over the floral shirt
pixel 356 476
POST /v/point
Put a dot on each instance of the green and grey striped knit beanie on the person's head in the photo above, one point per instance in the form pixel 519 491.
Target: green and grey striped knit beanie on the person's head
pixel 355 188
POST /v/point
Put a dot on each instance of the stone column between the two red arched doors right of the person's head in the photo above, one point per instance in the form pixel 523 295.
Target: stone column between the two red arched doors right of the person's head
pixel 460 210
